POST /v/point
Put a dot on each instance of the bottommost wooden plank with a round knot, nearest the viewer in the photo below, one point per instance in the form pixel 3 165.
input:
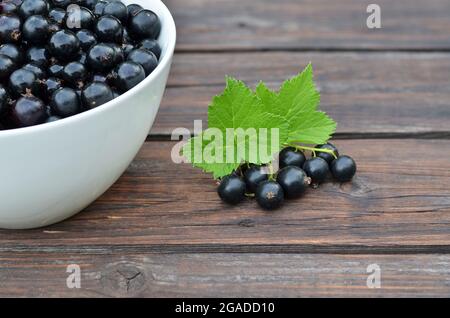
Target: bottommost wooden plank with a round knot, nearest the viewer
pixel 224 275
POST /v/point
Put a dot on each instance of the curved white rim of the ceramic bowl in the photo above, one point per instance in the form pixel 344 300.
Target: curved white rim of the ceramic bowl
pixel 162 65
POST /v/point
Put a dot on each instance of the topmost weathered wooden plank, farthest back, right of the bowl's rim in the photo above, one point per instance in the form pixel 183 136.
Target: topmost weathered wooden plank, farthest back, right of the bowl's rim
pixel 215 25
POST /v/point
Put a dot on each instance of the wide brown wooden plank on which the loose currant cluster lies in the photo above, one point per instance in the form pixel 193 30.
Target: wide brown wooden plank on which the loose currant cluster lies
pixel 399 200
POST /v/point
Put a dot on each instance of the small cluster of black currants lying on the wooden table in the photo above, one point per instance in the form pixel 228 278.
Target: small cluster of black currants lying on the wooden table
pixel 291 181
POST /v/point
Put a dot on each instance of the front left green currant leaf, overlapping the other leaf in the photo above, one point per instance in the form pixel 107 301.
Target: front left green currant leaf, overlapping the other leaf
pixel 239 130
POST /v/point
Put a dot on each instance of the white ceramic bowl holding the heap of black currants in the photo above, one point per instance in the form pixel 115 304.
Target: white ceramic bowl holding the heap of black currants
pixel 52 171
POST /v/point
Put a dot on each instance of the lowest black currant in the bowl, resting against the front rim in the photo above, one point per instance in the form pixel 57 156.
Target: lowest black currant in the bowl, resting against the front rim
pixel 28 111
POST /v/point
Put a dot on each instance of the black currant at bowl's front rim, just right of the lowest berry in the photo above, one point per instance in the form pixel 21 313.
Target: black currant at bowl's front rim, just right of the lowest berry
pixel 65 102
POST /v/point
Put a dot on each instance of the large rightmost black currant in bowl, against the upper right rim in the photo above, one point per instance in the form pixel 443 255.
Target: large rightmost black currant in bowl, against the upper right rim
pixel 145 24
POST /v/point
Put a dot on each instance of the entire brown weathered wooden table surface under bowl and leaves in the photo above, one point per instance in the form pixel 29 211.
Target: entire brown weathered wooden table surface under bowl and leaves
pixel 161 229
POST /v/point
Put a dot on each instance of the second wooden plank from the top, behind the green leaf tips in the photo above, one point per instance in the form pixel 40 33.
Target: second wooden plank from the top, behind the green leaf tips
pixel 371 93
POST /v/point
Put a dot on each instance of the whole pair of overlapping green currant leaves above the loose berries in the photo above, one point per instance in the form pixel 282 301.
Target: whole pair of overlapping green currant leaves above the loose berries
pixel 239 119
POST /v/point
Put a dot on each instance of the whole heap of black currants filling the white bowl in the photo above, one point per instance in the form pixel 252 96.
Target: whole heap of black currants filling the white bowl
pixel 59 58
